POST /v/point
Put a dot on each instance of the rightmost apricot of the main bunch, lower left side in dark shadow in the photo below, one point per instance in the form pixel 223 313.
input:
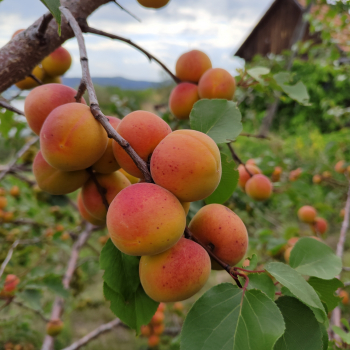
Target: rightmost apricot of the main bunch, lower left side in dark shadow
pixel 220 228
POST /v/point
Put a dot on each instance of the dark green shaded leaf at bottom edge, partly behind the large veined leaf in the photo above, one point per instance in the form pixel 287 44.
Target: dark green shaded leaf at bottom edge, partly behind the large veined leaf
pixel 302 329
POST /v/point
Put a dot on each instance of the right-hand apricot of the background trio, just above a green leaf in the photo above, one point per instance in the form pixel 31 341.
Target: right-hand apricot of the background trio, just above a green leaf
pixel 217 83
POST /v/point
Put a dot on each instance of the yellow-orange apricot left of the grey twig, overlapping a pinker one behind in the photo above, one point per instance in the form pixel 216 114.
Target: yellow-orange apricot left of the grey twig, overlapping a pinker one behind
pixel 71 138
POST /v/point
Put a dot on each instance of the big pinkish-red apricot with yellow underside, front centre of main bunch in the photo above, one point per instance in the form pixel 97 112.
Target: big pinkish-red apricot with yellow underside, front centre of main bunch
pixel 145 219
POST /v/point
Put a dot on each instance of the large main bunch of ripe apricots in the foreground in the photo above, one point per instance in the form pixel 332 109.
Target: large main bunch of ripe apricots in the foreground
pixel 143 219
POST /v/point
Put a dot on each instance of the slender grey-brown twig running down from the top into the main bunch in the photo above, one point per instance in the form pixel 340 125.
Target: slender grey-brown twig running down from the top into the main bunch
pixel 94 106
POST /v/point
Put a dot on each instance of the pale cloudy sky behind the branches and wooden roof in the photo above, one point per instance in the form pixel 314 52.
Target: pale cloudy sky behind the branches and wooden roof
pixel 217 27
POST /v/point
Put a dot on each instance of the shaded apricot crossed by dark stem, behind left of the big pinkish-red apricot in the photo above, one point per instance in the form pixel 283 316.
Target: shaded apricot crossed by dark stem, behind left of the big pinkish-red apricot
pixel 112 183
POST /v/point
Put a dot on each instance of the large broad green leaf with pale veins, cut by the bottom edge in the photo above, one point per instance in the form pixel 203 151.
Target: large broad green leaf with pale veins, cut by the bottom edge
pixel 218 320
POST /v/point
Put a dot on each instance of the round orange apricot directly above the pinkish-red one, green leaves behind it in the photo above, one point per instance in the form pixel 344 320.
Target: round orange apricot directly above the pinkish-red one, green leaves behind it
pixel 188 164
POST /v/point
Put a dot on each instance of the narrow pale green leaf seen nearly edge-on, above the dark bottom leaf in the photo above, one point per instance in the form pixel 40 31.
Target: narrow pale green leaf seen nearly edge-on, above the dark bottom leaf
pixel 298 287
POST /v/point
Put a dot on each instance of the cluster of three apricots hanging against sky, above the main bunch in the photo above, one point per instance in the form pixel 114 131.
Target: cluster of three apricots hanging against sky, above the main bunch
pixel 198 80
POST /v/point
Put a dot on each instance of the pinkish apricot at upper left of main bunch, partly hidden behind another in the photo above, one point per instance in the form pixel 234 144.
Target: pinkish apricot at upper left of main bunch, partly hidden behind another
pixel 42 100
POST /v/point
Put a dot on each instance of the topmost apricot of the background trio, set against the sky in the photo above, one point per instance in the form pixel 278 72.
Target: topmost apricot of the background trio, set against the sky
pixel 191 65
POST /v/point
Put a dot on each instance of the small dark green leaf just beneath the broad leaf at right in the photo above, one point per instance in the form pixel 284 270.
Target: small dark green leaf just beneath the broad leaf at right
pixel 326 289
